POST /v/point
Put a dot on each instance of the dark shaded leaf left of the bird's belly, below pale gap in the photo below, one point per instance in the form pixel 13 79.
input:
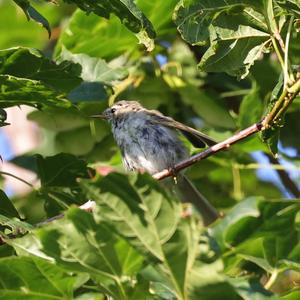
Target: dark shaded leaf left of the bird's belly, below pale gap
pixel 61 170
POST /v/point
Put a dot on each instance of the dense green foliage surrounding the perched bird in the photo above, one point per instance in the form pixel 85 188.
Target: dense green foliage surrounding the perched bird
pixel 219 66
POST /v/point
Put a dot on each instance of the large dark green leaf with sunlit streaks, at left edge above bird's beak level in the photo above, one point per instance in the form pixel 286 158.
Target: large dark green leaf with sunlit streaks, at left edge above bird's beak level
pixel 27 77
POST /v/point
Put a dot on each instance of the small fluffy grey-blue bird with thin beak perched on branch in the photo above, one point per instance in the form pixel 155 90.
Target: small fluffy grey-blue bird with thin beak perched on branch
pixel 149 141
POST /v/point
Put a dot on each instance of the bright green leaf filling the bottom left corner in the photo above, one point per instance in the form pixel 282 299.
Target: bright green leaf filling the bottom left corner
pixel 34 279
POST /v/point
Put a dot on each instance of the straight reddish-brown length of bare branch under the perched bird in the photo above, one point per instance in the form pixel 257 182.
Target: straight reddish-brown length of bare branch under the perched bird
pixel 209 151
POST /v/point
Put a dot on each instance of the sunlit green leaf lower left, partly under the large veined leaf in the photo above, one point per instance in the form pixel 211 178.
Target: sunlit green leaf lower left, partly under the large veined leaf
pixel 79 244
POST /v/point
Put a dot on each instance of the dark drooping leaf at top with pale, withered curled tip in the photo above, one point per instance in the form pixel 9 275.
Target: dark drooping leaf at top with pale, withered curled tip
pixel 127 12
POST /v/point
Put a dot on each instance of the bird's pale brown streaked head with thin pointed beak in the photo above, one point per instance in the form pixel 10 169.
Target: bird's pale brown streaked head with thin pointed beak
pixel 119 109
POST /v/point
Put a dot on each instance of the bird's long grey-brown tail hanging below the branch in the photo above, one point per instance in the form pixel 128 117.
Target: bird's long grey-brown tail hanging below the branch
pixel 189 193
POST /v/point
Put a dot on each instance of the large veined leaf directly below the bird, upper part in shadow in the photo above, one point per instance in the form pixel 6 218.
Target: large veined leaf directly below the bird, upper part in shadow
pixel 137 213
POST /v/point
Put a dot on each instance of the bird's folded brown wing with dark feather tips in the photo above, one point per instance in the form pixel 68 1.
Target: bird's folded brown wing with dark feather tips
pixel 197 138
